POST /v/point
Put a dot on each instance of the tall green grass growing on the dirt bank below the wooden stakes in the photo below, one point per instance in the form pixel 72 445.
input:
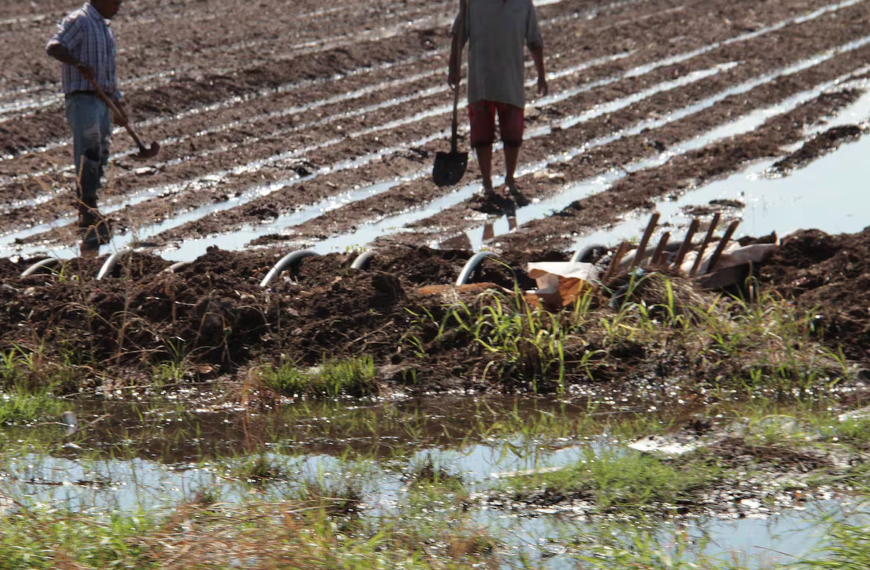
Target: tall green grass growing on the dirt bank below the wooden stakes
pixel 661 327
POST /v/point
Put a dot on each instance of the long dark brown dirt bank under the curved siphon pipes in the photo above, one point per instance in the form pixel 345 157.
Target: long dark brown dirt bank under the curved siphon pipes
pixel 214 310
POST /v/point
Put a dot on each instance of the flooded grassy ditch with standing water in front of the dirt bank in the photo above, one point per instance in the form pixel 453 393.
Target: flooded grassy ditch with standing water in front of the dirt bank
pixel 426 459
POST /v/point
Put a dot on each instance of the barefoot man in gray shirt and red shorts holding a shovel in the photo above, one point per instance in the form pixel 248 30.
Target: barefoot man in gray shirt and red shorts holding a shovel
pixel 496 32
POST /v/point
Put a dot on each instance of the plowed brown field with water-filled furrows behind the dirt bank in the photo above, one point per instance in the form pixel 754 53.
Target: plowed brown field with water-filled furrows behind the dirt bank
pixel 308 125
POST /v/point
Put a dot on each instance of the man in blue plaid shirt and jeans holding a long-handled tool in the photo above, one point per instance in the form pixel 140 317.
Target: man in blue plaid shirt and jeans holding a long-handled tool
pixel 85 45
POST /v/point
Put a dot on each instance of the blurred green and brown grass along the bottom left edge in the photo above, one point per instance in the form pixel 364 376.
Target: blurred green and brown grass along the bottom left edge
pixel 287 534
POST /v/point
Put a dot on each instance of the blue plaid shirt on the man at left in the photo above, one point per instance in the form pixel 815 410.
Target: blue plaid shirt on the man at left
pixel 86 34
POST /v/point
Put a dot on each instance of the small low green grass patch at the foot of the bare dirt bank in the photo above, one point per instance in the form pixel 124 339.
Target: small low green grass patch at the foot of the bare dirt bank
pixel 333 378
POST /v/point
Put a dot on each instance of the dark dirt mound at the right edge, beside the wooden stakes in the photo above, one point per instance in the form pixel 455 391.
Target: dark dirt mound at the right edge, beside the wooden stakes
pixel 830 275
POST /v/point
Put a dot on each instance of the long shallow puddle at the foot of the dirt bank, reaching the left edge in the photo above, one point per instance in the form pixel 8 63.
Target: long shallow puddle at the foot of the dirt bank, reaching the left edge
pixel 170 465
